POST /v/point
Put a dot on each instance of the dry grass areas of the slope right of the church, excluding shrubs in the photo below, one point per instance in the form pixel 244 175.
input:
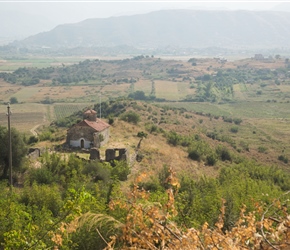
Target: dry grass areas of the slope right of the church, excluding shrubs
pixel 158 152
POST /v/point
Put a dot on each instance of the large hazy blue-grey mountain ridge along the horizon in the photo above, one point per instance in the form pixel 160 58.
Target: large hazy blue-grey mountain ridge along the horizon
pixel 173 28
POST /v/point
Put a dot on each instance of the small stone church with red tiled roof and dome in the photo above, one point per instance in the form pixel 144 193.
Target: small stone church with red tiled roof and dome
pixel 89 133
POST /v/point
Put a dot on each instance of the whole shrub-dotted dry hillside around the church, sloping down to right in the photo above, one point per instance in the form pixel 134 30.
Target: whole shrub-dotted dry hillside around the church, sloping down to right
pixel 173 132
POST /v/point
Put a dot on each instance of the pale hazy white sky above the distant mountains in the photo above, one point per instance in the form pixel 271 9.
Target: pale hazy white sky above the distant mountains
pixel 74 11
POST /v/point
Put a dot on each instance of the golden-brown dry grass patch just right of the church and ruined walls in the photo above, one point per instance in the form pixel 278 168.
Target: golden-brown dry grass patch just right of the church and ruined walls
pixel 156 151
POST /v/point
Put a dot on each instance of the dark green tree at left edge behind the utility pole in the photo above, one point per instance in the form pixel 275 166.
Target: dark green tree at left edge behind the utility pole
pixel 19 150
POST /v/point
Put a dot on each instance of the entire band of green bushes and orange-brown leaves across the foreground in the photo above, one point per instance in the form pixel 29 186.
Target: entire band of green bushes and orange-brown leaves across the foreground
pixel 68 199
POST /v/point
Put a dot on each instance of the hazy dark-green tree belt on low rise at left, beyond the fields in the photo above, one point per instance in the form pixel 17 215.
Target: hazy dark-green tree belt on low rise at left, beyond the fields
pixel 73 74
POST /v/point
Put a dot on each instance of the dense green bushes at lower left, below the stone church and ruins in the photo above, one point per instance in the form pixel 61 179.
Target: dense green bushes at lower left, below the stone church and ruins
pixel 54 194
